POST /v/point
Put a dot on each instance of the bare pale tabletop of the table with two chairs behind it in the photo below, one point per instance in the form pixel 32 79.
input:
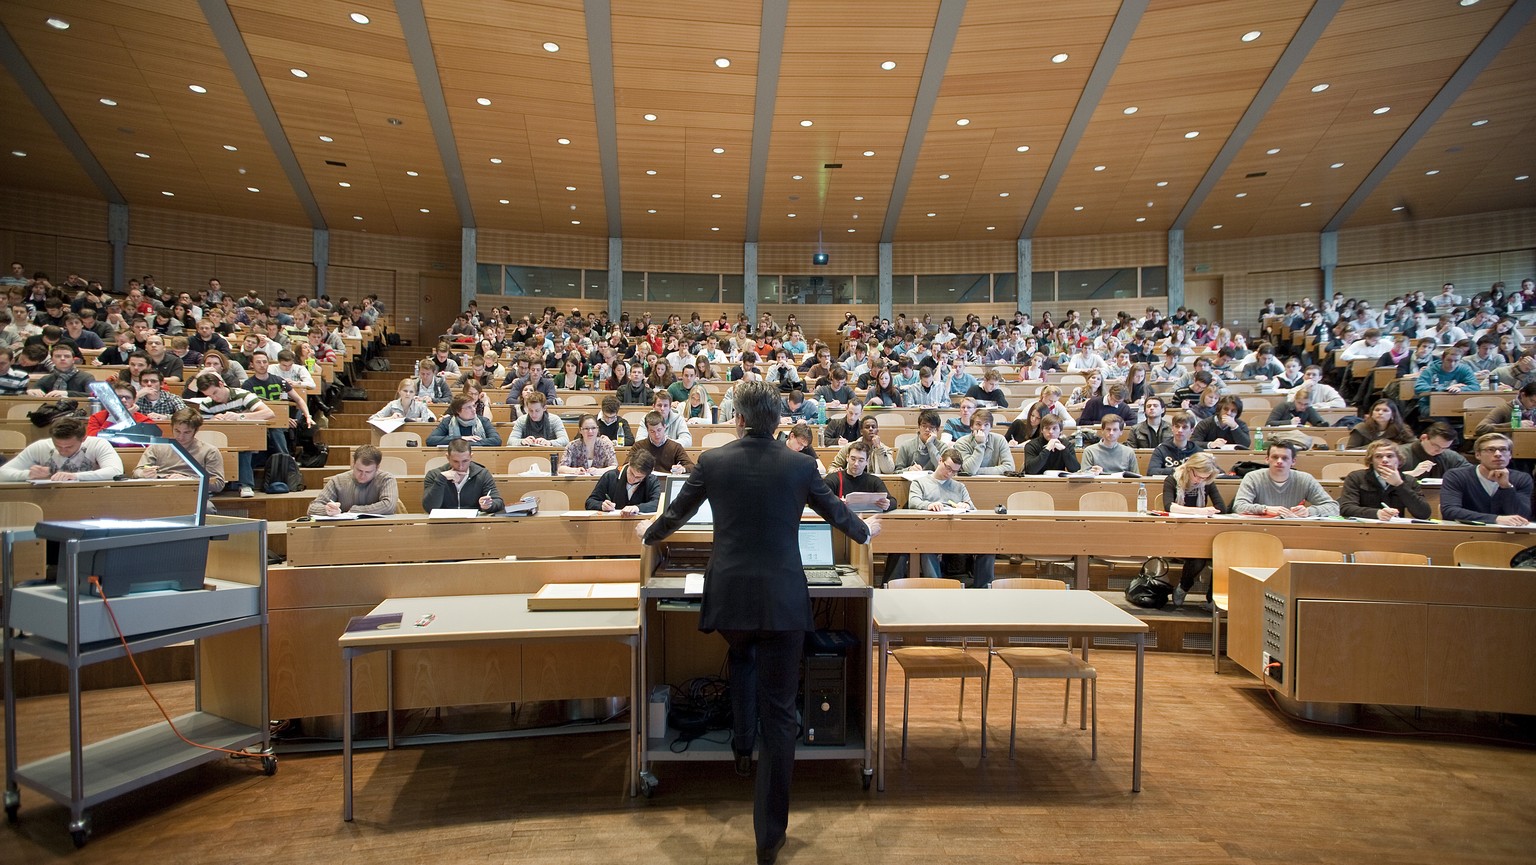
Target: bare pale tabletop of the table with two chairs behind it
pixel 999 611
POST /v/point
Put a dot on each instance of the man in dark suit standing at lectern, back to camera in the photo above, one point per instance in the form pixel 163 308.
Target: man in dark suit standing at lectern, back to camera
pixel 755 588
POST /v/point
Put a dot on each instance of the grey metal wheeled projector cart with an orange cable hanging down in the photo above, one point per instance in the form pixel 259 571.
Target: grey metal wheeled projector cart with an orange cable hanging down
pixel 59 625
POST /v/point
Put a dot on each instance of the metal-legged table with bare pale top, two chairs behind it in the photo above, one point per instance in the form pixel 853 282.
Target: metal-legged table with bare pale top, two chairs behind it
pixel 1004 614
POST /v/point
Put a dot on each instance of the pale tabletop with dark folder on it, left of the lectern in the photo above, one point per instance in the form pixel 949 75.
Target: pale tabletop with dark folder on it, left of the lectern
pixel 466 618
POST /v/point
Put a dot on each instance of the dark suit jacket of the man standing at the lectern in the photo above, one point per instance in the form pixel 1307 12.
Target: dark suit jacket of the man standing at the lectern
pixel 756 491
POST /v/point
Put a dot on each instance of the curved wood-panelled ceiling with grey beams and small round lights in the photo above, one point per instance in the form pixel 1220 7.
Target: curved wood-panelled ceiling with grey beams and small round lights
pixel 635 130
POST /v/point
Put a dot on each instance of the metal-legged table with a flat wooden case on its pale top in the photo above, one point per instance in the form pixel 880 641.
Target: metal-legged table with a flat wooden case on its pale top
pixel 478 621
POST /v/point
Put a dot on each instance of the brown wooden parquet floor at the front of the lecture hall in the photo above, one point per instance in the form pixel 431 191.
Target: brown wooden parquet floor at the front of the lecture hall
pixel 1226 780
